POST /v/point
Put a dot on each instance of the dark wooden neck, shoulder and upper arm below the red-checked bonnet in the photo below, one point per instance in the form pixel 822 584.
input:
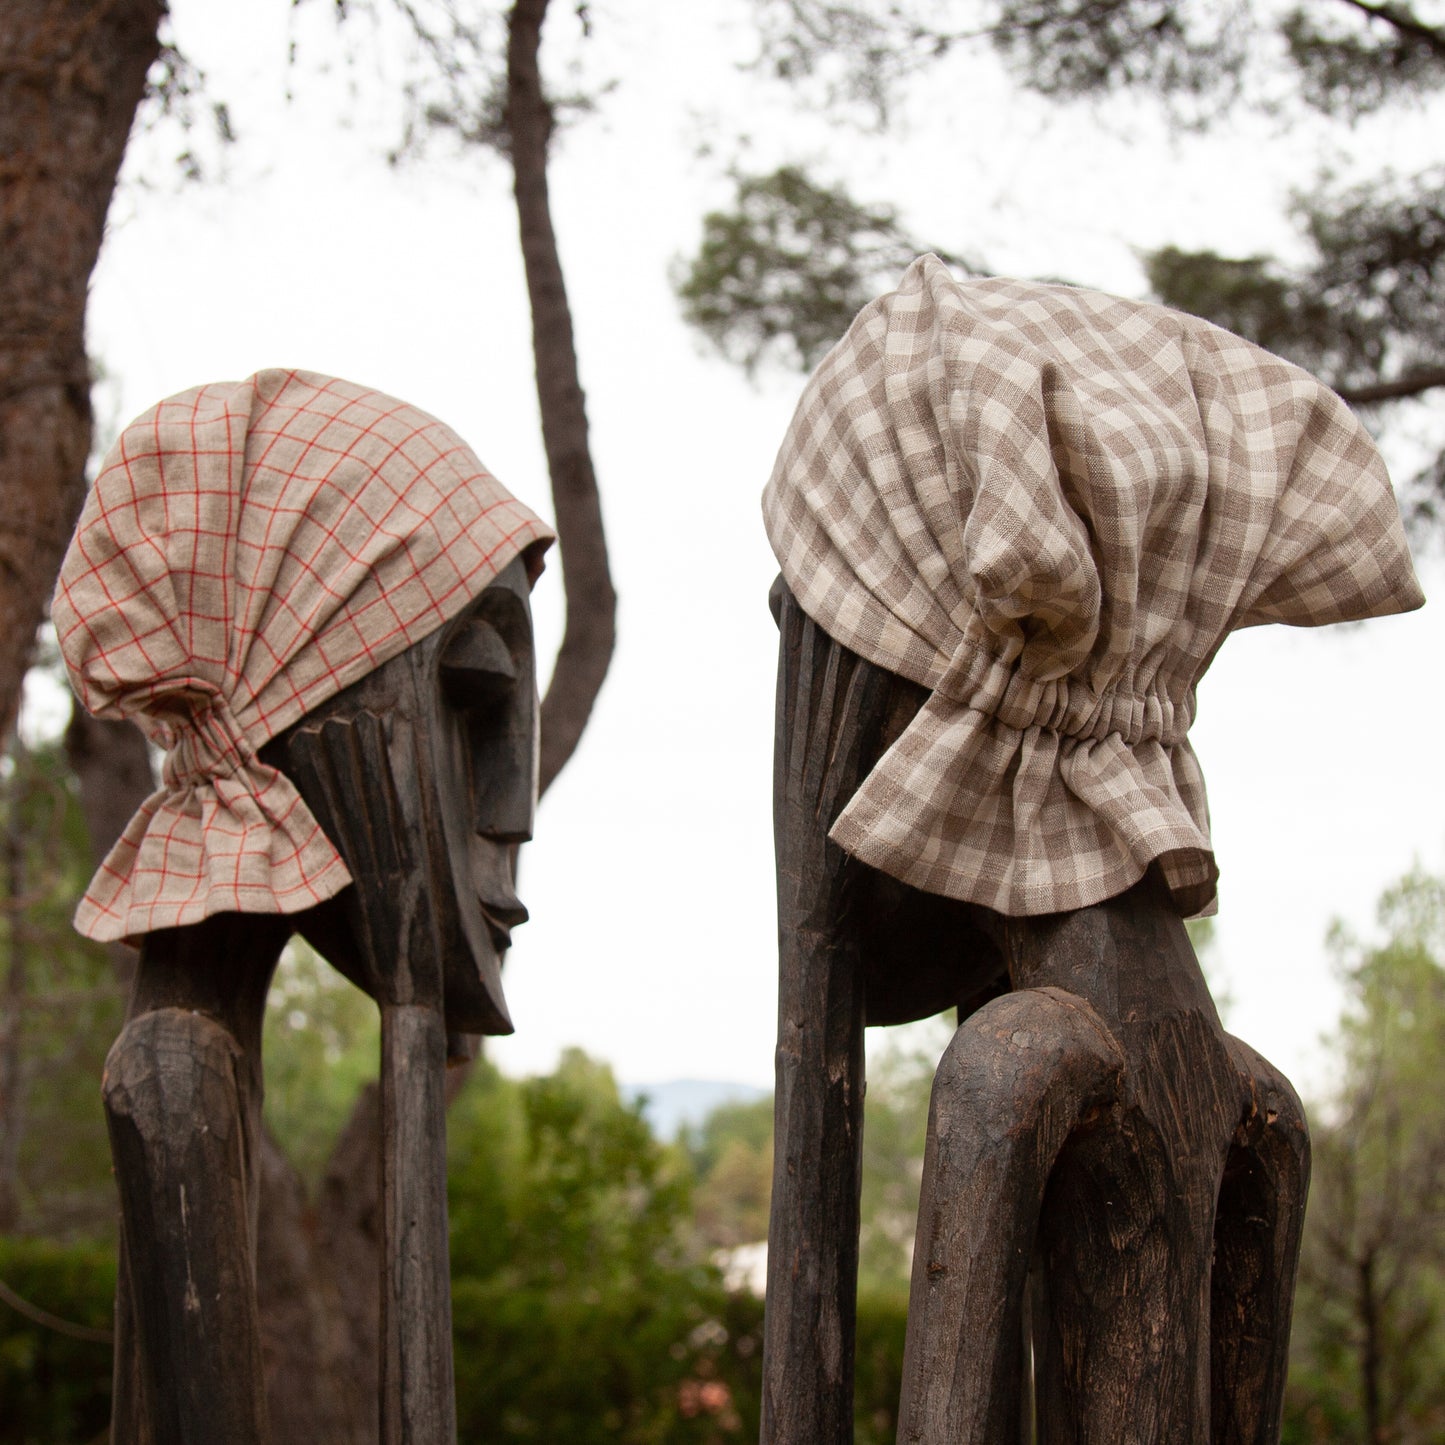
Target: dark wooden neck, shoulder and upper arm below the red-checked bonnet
pixel 183 1093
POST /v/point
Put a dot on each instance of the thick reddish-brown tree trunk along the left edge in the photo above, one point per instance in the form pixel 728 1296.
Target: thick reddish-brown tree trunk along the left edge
pixel 72 77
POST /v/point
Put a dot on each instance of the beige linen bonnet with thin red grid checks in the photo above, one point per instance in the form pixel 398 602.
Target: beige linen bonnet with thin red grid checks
pixel 248 551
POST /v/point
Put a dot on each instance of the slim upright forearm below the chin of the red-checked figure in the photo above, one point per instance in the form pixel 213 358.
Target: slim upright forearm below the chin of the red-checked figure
pixel 418 1395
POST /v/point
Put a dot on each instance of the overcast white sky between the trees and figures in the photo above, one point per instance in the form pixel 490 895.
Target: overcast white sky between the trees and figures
pixel 652 937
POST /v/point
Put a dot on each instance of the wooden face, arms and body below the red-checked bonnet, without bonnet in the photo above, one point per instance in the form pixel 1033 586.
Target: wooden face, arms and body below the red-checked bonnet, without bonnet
pixel 423 775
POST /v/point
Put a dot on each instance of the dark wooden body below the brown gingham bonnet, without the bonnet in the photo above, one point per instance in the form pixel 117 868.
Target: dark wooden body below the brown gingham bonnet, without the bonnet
pixel 1113 1189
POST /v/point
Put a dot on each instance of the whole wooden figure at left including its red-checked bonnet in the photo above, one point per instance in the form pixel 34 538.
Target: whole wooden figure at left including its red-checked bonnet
pixel 314 598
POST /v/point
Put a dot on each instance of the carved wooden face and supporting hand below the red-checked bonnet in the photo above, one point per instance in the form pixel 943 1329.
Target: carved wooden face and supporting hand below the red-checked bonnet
pixel 424 777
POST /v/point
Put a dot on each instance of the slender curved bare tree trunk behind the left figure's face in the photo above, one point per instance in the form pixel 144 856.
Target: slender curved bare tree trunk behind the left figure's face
pixel 592 603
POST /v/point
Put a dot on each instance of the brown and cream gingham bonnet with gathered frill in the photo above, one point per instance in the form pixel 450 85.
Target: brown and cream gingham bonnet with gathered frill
pixel 1050 506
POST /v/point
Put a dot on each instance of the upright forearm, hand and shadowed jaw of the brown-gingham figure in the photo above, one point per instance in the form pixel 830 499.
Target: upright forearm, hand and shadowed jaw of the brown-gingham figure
pixel 840 930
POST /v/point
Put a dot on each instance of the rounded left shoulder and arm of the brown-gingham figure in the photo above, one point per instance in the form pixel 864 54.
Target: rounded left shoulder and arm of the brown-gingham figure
pixel 1017 1080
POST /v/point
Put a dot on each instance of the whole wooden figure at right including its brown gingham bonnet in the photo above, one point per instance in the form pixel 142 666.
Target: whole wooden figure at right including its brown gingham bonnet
pixel 1015 525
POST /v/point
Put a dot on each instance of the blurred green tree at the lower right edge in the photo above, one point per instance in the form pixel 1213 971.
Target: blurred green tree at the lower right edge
pixel 1369 1349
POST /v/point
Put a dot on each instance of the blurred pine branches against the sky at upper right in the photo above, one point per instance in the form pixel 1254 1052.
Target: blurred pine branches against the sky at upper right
pixel 1365 313
